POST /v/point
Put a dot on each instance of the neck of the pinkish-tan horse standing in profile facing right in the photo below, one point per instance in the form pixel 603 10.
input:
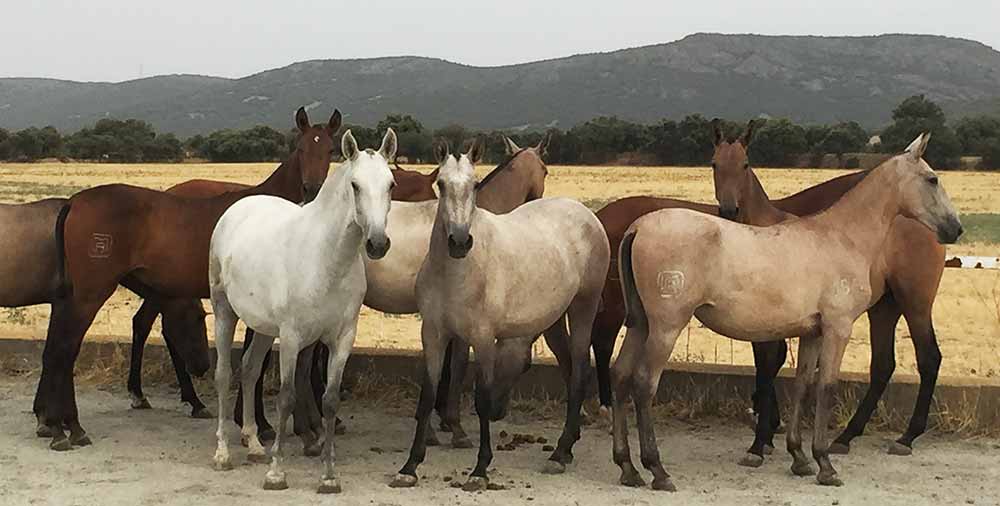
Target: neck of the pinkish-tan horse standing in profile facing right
pixel 866 212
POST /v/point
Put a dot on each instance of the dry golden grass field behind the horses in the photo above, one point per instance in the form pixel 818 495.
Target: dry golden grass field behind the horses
pixel 967 313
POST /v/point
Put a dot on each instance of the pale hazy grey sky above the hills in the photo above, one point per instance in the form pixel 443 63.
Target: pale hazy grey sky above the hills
pixel 114 40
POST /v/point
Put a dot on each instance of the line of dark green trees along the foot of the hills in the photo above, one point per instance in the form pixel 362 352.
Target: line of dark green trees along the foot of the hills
pixel 777 142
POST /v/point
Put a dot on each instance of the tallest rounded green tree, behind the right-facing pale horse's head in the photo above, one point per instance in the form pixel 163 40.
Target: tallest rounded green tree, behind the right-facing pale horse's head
pixel 914 116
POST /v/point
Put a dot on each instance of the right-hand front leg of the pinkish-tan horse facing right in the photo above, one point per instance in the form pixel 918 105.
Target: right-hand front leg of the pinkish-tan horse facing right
pixel 834 343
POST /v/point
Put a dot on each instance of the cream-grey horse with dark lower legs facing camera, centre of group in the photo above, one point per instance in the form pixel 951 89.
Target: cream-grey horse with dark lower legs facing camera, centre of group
pixel 554 247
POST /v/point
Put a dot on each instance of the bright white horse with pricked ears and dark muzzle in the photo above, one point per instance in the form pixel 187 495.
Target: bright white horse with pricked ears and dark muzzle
pixel 314 253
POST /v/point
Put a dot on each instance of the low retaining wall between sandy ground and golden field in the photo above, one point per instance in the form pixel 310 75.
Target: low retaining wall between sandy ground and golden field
pixel 968 404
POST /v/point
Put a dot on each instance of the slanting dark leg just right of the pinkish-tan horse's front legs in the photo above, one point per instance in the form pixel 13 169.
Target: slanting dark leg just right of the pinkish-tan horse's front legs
pixel 882 317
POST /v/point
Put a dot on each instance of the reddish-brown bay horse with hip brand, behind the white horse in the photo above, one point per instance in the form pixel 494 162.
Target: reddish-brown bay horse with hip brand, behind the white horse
pixel 155 244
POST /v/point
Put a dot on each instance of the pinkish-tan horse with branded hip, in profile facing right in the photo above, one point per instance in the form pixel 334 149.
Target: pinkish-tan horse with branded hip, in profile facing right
pixel 811 277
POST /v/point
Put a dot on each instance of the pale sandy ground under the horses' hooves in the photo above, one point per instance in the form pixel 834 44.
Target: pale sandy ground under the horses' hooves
pixel 161 456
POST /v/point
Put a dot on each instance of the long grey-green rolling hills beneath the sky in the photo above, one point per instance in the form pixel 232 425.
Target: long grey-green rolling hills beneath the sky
pixel 809 79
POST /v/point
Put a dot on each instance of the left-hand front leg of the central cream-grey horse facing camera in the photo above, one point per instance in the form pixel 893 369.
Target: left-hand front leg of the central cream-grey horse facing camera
pixel 434 349
